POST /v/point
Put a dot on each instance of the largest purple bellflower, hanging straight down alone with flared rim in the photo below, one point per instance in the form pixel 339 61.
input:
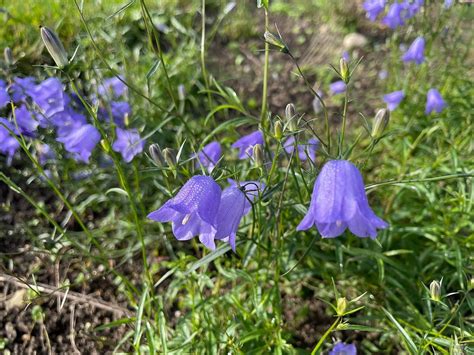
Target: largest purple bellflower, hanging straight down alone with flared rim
pixel 339 202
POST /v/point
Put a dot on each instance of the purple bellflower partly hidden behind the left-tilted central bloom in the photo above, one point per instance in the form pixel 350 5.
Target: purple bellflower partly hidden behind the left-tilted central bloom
pixel 234 205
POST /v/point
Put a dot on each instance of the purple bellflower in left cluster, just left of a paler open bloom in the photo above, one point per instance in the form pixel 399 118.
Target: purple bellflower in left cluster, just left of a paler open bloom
pixel 80 140
